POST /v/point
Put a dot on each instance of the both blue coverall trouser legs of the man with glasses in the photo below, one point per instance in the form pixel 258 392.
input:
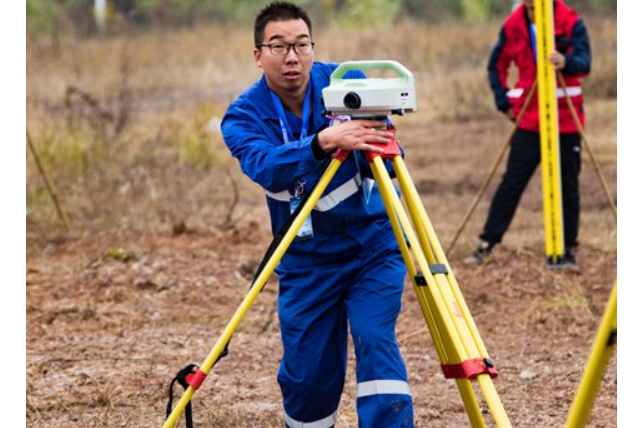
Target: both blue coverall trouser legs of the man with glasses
pixel 314 308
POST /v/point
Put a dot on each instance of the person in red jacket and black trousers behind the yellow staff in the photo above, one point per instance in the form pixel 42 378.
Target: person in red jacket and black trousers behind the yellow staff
pixel 572 56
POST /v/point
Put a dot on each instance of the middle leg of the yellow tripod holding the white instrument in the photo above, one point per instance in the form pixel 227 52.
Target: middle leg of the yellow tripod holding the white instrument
pixel 435 311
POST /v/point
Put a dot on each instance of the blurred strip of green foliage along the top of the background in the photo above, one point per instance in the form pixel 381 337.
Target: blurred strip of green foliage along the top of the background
pixel 52 17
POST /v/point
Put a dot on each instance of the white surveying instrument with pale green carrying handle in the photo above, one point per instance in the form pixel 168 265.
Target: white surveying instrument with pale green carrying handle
pixel 372 97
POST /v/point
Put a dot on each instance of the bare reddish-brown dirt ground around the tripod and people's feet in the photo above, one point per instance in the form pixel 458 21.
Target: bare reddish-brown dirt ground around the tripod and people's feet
pixel 112 317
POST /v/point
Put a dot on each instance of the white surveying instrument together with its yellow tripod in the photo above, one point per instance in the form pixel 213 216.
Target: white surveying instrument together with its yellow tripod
pixel 461 351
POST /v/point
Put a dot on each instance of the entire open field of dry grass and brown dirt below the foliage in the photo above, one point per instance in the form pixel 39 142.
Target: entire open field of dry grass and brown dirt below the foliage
pixel 164 232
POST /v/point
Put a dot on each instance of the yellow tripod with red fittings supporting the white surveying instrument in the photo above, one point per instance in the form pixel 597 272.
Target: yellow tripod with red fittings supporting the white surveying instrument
pixel 459 345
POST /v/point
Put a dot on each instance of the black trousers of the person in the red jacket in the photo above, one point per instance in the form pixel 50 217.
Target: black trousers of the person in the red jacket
pixel 523 159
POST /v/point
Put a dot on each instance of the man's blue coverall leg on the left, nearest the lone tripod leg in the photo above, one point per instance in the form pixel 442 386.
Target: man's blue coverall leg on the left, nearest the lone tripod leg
pixel 314 334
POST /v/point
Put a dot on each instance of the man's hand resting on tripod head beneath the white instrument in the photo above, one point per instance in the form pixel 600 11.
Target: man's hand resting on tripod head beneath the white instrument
pixel 355 135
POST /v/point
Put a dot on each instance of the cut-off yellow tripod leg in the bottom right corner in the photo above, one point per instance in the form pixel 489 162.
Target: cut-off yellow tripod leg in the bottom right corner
pixel 596 365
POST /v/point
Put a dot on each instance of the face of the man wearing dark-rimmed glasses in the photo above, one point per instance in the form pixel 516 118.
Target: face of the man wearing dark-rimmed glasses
pixel 285 74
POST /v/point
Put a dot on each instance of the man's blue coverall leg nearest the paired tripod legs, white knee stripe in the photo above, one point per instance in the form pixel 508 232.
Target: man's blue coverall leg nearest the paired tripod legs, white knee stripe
pixel 374 303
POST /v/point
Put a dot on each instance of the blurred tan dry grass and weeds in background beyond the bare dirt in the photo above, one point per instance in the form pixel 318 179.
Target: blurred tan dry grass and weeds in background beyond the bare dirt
pixel 125 124
